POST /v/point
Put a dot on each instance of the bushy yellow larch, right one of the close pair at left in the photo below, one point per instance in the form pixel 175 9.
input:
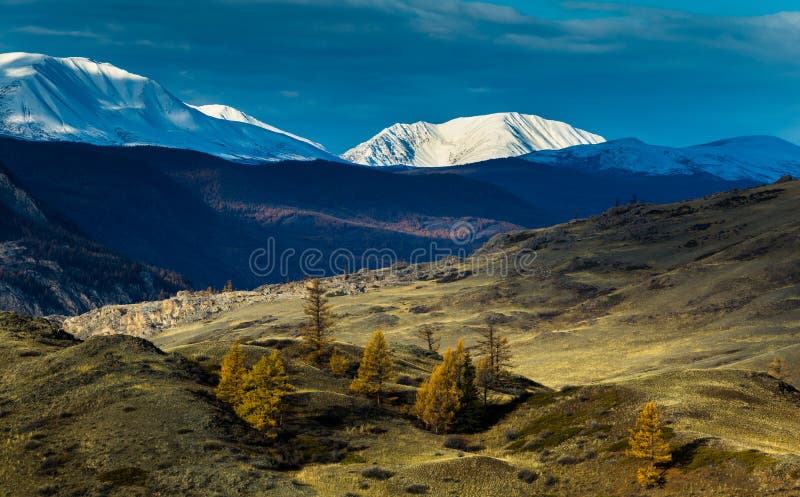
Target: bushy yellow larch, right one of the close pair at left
pixel 265 386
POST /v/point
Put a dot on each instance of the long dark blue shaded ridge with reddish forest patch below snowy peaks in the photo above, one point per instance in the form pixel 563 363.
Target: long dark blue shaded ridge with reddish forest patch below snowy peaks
pixel 203 216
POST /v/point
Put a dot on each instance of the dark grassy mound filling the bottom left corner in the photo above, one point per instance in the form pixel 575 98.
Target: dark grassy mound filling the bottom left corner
pixel 115 416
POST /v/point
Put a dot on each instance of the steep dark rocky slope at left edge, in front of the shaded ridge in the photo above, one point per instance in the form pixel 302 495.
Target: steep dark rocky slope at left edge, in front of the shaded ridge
pixel 48 267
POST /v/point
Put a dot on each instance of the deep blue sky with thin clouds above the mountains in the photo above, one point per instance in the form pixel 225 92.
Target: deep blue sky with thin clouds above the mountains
pixel 673 72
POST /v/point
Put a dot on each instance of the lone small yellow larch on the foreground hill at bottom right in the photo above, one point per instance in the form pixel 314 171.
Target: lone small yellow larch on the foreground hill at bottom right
pixel 647 443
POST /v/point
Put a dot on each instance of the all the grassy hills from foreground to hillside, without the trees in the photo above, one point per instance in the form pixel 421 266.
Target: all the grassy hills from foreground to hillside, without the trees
pixel 683 304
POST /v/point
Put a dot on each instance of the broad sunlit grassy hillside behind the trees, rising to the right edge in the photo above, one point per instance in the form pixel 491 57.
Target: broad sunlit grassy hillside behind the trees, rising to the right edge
pixel 703 284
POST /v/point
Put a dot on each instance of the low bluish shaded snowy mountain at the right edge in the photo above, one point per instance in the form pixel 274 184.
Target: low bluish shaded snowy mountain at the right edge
pixel 758 158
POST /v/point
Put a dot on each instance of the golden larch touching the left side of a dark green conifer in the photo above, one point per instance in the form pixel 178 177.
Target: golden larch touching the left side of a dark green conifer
pixel 438 399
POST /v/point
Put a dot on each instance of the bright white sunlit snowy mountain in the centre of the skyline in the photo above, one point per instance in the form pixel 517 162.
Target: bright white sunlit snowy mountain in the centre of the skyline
pixel 467 140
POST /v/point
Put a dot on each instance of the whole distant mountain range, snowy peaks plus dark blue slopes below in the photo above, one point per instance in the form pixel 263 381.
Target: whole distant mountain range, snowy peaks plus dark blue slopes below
pixel 76 216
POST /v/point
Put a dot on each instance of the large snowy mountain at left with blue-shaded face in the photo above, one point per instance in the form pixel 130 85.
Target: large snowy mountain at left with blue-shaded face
pixel 46 98
